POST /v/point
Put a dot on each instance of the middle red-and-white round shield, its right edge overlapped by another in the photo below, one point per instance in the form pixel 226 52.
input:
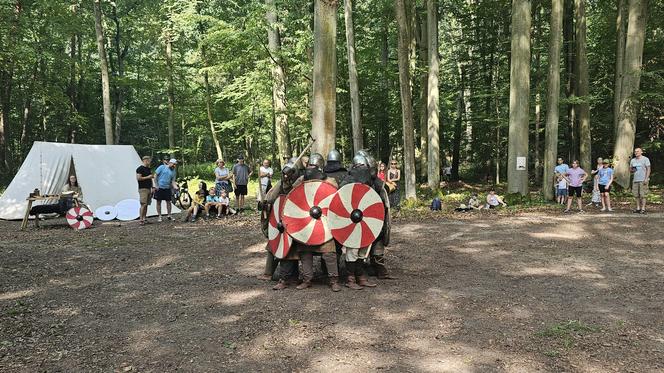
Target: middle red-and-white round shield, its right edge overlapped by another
pixel 305 212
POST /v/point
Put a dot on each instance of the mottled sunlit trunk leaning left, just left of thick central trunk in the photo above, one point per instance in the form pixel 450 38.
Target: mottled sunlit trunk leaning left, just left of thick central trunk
pixel 278 84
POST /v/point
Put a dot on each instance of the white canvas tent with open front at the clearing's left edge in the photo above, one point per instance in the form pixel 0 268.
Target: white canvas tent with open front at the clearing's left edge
pixel 105 173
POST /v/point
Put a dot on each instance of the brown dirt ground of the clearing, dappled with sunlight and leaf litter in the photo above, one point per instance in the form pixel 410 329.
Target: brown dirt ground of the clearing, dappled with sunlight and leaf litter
pixel 482 293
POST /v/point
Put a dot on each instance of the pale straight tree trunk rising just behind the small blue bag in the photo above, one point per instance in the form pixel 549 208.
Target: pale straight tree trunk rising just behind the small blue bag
pixel 432 96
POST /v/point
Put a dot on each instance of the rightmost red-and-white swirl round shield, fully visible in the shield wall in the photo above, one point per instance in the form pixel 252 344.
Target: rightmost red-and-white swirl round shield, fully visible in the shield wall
pixel 356 215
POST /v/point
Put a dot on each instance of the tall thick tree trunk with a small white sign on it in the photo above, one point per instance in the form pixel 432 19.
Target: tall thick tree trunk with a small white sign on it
pixel 517 179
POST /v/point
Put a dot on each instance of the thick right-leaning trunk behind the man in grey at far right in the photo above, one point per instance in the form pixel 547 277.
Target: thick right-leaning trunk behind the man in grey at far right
pixel 629 105
